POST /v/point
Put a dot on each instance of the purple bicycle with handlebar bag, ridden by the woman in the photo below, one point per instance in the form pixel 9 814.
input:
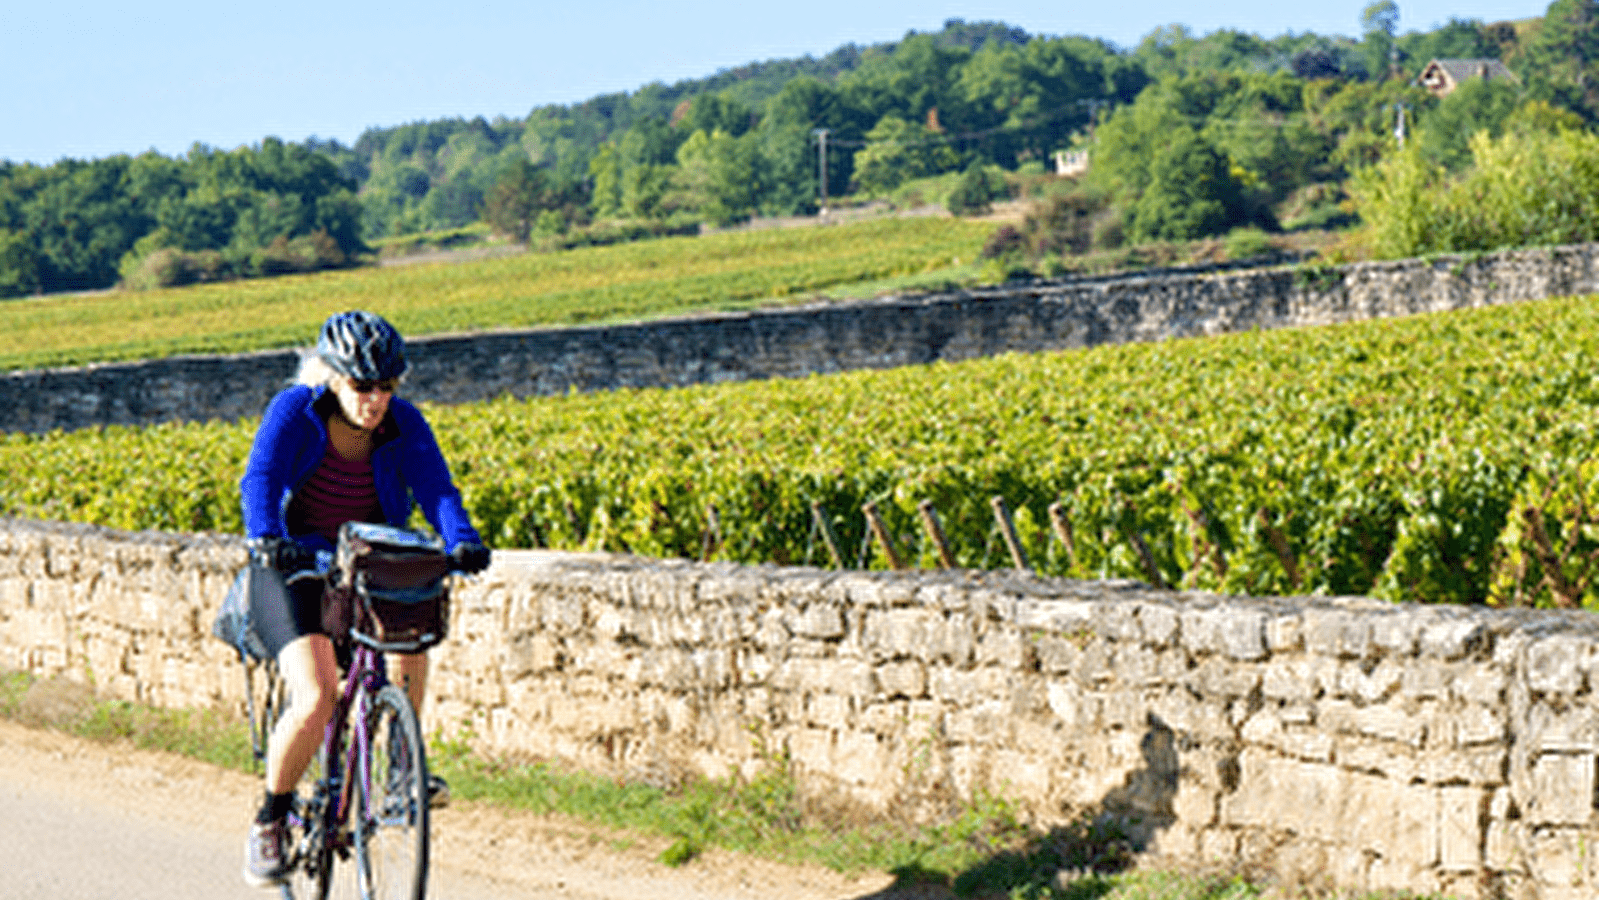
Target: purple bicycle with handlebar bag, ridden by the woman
pixel 367 790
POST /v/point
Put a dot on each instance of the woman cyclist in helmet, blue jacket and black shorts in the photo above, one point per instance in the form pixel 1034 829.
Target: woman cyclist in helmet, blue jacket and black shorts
pixel 338 447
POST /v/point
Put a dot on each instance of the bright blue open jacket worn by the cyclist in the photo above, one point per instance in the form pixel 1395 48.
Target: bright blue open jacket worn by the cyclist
pixel 407 468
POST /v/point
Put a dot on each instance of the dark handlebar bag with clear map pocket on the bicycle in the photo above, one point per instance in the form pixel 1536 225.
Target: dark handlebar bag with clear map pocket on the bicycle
pixel 391 591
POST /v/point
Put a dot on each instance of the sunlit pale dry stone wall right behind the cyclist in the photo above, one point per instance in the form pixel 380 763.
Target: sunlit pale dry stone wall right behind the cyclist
pixel 1342 741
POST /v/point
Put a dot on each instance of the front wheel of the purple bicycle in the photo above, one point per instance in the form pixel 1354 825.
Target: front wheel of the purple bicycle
pixel 391 802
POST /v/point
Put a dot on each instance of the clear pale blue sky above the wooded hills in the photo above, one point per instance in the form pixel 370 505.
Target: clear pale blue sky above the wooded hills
pixel 95 78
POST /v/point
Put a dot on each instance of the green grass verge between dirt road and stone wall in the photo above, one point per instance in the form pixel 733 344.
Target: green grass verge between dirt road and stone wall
pixel 986 851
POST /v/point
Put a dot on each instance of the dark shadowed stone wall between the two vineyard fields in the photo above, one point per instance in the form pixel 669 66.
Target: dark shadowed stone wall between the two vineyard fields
pixel 829 338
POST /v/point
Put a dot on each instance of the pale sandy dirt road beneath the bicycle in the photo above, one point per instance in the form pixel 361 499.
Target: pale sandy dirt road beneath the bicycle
pixel 86 821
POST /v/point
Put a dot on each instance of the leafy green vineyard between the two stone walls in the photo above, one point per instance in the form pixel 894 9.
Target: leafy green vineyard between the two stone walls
pixel 1446 458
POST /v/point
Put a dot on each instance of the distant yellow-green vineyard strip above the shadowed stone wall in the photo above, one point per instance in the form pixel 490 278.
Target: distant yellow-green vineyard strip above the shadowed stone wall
pixel 586 285
